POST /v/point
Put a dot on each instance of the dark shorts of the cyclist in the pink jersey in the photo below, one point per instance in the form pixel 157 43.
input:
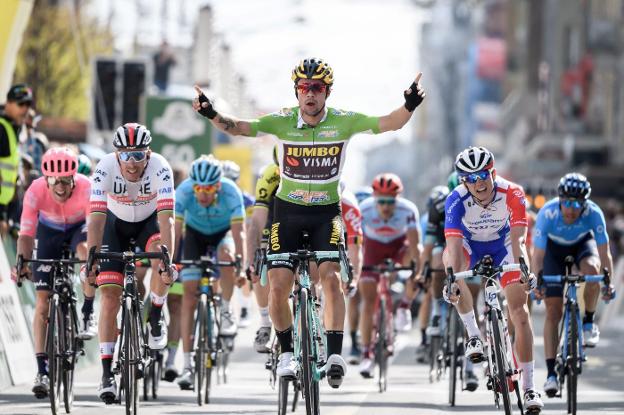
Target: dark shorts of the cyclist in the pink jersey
pixel 50 243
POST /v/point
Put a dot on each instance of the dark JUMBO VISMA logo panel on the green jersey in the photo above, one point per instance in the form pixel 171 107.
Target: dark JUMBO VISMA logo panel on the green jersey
pixel 312 162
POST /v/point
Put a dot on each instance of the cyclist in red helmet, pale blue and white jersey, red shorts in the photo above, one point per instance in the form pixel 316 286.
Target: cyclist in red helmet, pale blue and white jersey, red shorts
pixel 391 230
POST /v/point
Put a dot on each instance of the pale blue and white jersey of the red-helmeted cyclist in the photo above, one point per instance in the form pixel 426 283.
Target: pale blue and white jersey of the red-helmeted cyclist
pixel 385 231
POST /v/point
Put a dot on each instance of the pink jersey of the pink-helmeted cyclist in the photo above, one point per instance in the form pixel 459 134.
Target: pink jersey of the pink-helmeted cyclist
pixel 40 206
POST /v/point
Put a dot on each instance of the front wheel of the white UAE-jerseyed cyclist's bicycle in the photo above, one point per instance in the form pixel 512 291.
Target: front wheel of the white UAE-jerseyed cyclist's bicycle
pixel 131 354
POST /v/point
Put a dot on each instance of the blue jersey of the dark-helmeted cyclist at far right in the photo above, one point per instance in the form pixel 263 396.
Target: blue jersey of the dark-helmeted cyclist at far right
pixel 550 225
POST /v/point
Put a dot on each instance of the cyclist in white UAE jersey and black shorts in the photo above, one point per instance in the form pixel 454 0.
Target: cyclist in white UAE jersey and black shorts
pixel 132 197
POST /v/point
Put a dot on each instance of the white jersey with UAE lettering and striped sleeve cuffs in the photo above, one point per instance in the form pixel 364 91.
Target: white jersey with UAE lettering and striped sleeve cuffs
pixel 132 201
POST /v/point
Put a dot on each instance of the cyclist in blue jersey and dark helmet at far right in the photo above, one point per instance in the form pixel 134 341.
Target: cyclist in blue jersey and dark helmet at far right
pixel 570 224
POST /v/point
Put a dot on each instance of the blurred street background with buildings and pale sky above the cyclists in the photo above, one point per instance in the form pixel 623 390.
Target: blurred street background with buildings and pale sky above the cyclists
pixel 538 82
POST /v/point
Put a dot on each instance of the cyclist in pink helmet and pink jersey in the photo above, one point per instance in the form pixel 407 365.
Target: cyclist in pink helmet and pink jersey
pixel 54 214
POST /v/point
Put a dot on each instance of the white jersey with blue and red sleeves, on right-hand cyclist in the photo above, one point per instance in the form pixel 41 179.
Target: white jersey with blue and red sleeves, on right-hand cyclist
pixel 466 218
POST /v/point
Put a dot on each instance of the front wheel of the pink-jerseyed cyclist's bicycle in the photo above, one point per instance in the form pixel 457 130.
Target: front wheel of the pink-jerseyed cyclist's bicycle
pixel 54 350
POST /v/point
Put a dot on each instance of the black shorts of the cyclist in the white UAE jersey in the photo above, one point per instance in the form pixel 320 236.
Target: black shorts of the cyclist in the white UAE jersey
pixel 117 236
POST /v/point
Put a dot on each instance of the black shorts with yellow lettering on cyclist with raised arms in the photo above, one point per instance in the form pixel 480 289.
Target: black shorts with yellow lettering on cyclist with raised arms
pixel 322 223
